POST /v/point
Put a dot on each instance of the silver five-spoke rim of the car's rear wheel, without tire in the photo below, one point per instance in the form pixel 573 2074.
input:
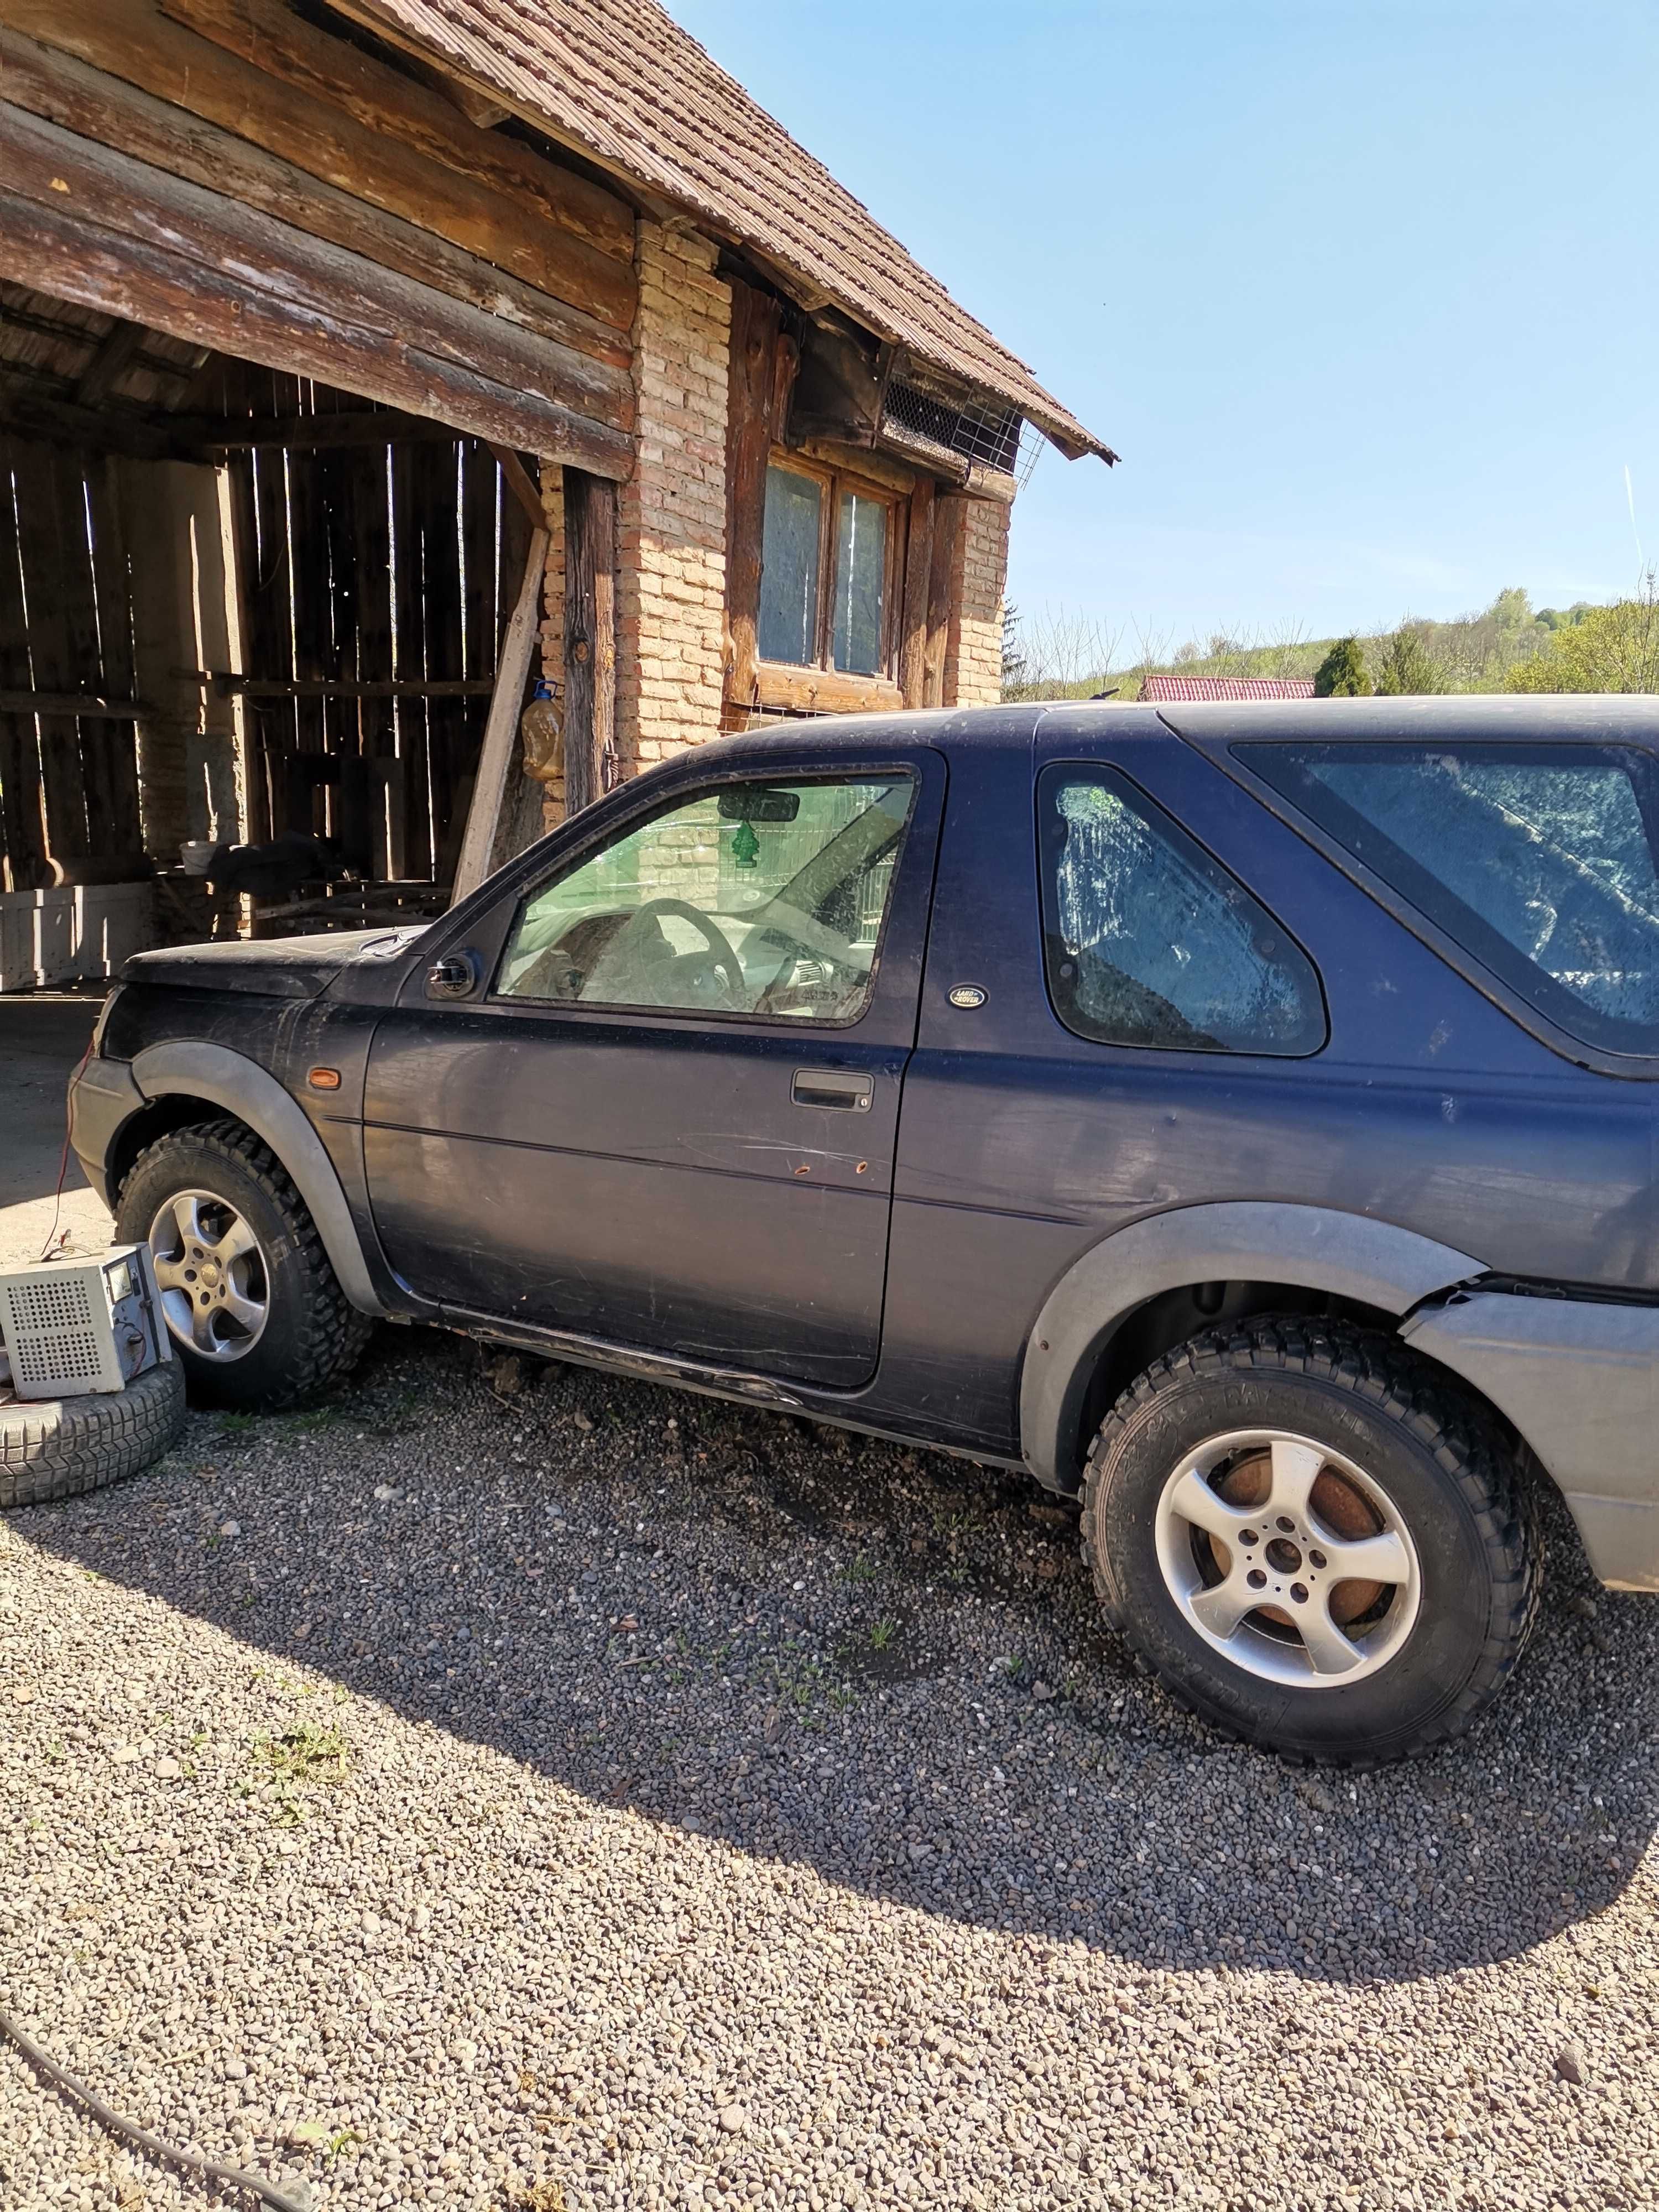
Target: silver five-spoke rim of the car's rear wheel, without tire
pixel 1288 1558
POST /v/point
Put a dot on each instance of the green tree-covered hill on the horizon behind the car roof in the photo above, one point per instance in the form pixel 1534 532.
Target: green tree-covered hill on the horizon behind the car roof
pixel 1072 660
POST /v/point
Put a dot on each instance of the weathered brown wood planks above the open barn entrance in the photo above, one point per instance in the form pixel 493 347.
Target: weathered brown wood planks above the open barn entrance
pixel 233 176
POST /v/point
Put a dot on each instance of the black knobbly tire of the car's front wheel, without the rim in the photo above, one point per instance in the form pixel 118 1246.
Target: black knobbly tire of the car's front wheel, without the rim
pixel 313 1335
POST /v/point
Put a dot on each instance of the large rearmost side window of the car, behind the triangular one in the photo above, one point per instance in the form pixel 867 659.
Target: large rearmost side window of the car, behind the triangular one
pixel 1536 859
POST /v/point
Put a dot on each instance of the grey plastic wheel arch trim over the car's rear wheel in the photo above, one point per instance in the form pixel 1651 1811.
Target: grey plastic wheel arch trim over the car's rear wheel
pixel 1306 1246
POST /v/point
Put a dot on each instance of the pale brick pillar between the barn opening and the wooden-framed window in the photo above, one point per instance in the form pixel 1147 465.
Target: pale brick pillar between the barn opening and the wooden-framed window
pixel 671 541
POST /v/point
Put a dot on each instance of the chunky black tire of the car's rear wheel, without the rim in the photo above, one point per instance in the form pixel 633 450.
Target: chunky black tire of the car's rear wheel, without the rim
pixel 1446 1463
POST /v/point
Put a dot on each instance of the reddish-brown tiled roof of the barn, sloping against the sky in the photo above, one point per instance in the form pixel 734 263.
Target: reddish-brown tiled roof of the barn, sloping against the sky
pixel 625 85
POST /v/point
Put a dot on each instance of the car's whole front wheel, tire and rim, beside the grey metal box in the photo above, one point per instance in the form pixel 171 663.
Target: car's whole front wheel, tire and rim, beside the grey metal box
pixel 253 1304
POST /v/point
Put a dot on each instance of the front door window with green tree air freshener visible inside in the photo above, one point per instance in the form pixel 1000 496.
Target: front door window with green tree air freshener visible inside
pixel 747 899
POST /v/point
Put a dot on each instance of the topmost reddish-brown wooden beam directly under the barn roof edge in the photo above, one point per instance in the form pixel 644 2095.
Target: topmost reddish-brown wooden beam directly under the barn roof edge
pixel 386 103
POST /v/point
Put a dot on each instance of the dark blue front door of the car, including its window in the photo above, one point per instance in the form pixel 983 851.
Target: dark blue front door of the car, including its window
pixel 665 1109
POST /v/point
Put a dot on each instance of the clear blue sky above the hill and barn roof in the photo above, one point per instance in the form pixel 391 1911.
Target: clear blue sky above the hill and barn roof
pixel 1364 291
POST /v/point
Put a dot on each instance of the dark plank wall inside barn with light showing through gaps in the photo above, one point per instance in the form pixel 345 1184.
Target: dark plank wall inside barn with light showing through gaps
pixel 368 565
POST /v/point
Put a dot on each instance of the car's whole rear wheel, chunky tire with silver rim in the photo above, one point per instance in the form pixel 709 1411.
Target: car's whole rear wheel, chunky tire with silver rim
pixel 1313 1541
